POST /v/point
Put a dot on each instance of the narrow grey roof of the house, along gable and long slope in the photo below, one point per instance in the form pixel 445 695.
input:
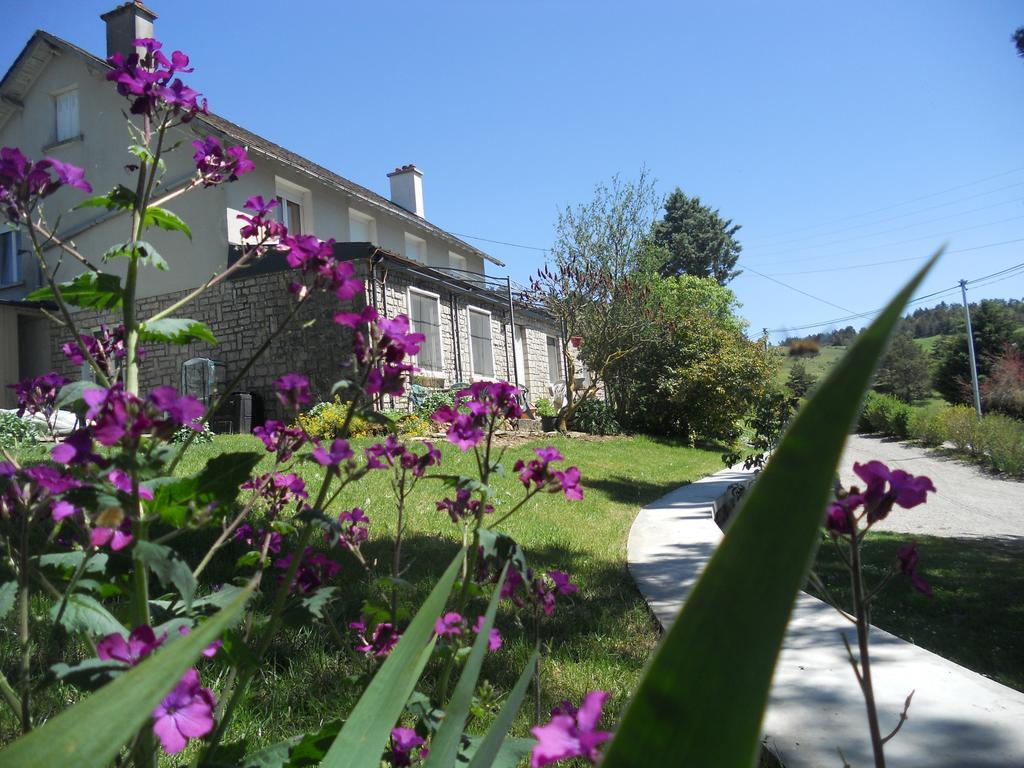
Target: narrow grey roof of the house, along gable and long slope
pixel 36 55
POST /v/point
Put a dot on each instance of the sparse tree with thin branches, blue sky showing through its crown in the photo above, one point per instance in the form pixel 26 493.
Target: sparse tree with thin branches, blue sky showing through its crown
pixel 596 282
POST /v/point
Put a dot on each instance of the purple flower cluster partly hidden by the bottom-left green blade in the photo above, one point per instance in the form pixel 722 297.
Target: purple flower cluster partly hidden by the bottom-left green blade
pixel 187 712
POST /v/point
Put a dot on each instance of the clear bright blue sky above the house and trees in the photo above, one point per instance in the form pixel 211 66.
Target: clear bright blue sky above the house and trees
pixel 839 136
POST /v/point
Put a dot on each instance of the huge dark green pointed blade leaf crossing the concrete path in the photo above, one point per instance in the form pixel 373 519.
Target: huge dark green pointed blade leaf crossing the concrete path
pixel 704 695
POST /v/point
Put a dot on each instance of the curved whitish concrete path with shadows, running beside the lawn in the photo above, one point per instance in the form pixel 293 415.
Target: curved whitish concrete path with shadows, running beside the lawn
pixel 958 719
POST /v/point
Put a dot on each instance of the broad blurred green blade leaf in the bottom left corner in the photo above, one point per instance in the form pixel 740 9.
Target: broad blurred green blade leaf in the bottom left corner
pixel 91 734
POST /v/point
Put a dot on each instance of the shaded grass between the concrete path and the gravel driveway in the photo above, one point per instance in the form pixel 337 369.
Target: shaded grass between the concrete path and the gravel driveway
pixel 978 610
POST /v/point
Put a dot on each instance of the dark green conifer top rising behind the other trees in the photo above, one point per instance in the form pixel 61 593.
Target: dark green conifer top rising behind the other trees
pixel 698 240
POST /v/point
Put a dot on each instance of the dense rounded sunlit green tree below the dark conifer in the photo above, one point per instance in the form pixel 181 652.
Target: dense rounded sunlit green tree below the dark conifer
pixel 701 374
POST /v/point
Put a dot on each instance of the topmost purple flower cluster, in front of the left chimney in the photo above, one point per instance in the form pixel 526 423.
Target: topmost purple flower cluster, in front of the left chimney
pixel 150 84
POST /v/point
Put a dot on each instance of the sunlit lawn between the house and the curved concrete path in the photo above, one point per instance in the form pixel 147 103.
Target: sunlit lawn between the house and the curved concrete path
pixel 600 639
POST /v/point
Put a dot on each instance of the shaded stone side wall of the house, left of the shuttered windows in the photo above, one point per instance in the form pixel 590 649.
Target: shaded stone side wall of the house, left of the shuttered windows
pixel 242 315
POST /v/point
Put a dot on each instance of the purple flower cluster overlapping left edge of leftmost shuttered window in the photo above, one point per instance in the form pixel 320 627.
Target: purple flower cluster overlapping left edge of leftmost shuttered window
pixel 391 343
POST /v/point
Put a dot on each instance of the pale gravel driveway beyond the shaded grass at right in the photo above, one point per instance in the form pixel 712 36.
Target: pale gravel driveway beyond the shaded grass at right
pixel 969 502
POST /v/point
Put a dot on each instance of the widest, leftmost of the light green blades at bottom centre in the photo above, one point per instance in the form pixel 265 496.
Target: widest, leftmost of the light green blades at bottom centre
pixel 362 742
